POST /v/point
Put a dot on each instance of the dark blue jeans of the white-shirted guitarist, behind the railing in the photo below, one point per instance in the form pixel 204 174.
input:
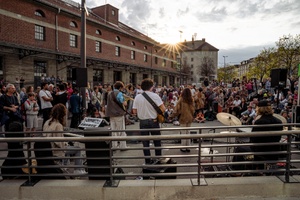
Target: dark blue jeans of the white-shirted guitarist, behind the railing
pixel 146 124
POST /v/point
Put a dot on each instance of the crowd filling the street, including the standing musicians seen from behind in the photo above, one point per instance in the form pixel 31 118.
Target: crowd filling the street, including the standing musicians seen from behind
pixel 126 104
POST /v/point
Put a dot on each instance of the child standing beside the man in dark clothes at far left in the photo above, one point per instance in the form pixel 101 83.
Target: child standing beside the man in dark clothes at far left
pixel 32 109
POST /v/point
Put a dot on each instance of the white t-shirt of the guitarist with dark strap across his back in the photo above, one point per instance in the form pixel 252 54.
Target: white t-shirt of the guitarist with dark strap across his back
pixel 144 109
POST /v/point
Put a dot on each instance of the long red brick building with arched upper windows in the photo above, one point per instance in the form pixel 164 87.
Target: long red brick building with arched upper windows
pixel 42 38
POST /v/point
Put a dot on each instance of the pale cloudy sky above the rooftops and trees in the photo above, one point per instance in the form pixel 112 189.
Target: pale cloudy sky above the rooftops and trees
pixel 240 29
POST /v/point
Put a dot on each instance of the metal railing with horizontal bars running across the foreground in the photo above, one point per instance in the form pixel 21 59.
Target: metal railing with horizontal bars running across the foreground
pixel 211 155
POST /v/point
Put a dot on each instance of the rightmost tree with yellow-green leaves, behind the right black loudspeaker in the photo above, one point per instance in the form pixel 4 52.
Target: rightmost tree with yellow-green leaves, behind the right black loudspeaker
pixel 288 52
